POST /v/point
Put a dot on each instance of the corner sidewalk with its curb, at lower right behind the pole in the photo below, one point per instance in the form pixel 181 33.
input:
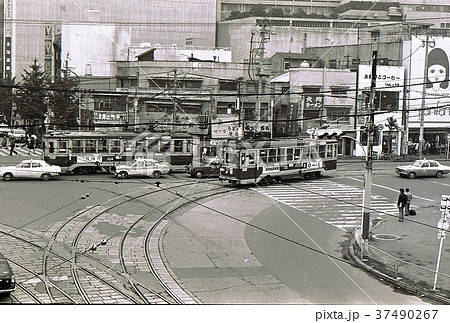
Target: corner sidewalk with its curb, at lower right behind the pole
pixel 405 254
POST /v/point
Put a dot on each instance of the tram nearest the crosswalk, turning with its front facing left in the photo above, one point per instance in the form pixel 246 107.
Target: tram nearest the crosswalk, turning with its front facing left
pixel 267 161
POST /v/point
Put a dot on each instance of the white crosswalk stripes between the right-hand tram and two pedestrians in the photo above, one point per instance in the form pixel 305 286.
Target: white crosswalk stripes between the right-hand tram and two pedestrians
pixel 337 204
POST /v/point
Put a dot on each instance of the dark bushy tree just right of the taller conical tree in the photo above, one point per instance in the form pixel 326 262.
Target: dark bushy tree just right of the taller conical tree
pixel 63 103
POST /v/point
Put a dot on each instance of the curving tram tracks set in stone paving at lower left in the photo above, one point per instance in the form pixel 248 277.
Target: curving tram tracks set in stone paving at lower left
pixel 81 265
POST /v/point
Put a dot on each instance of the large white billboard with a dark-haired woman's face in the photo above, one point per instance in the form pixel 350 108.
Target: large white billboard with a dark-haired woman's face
pixel 437 93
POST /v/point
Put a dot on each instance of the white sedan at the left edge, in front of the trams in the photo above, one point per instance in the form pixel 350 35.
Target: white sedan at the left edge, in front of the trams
pixel 30 169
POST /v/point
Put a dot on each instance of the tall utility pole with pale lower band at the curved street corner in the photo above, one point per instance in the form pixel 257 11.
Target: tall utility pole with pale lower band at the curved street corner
pixel 370 125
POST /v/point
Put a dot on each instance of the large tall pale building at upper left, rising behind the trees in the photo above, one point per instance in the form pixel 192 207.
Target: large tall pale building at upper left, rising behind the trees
pixel 87 36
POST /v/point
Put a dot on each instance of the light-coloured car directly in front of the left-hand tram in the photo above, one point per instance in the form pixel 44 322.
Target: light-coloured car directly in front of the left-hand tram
pixel 143 167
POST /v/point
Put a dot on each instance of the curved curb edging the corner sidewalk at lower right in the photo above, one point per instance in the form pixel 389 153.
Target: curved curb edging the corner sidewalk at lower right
pixel 410 289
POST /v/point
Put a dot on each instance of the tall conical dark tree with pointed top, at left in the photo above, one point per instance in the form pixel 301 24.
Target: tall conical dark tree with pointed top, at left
pixel 31 99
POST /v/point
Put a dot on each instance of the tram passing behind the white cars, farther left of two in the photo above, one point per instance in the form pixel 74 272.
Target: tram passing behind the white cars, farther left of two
pixel 85 152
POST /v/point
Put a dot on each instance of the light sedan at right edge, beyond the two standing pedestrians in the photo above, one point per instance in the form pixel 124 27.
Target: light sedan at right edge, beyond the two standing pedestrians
pixel 422 167
